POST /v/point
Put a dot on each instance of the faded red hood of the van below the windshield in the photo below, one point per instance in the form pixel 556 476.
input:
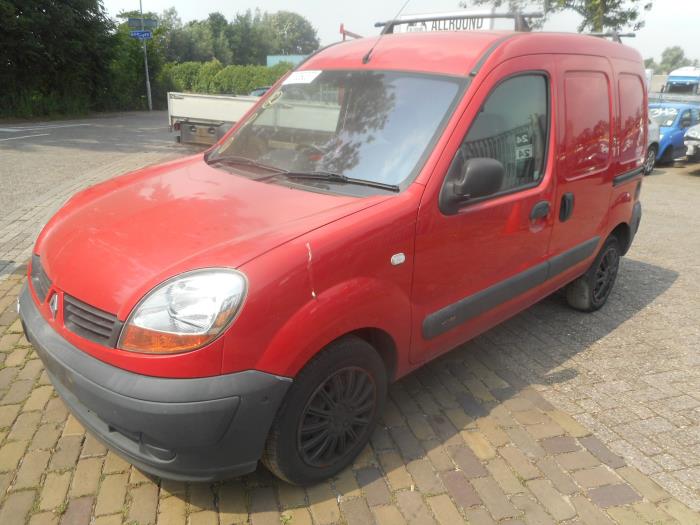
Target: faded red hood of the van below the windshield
pixel 113 242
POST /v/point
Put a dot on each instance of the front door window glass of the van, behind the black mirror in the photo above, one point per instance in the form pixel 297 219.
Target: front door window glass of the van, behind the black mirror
pixel 512 127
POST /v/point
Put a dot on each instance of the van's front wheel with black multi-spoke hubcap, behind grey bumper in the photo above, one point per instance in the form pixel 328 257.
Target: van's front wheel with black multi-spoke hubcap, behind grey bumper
pixel 341 392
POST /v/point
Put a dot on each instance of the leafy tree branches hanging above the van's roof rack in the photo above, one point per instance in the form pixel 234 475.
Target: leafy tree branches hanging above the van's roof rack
pixel 598 15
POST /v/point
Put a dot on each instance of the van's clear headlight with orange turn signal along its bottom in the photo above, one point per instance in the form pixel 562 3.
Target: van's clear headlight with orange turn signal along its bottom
pixel 185 312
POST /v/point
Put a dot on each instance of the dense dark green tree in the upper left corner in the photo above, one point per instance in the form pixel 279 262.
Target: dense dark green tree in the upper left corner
pixel 53 55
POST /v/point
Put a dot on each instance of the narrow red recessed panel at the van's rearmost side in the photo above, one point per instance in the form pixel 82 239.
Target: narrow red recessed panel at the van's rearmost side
pixel 631 118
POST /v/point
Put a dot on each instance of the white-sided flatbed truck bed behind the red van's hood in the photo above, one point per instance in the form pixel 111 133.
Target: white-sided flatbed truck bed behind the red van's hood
pixel 204 119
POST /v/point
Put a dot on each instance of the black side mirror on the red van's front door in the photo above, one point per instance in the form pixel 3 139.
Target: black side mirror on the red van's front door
pixel 478 177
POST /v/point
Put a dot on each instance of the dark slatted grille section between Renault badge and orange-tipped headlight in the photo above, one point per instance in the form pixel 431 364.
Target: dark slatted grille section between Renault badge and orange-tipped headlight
pixel 90 322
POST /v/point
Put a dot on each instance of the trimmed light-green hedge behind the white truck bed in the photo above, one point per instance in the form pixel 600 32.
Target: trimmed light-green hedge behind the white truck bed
pixel 213 77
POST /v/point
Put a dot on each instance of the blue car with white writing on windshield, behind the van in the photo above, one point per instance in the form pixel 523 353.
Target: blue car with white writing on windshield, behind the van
pixel 673 119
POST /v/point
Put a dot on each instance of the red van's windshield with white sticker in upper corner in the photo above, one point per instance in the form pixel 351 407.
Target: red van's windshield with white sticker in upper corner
pixel 369 125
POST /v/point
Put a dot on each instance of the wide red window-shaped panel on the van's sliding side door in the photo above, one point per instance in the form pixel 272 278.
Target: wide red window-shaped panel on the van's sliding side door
pixel 587 124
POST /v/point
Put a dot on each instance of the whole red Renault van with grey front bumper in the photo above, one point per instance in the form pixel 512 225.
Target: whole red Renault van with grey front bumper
pixel 388 201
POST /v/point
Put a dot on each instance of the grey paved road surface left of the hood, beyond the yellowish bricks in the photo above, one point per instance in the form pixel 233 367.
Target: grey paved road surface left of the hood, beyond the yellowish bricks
pixel 42 164
